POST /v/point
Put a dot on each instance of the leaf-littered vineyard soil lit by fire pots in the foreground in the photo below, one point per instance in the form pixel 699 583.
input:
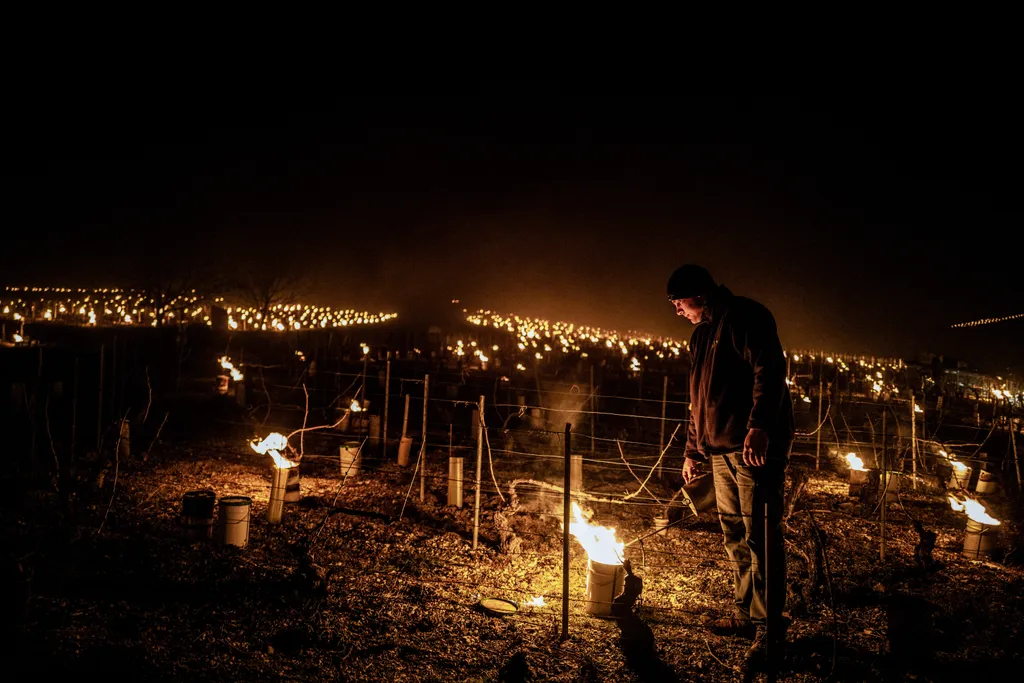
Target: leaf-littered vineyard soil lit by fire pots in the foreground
pixel 372 596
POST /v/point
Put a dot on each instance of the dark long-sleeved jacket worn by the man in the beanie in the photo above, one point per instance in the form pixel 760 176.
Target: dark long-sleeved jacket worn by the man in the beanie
pixel 738 380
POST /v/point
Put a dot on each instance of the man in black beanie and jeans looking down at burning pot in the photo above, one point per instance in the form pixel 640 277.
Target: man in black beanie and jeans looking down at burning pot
pixel 742 422
